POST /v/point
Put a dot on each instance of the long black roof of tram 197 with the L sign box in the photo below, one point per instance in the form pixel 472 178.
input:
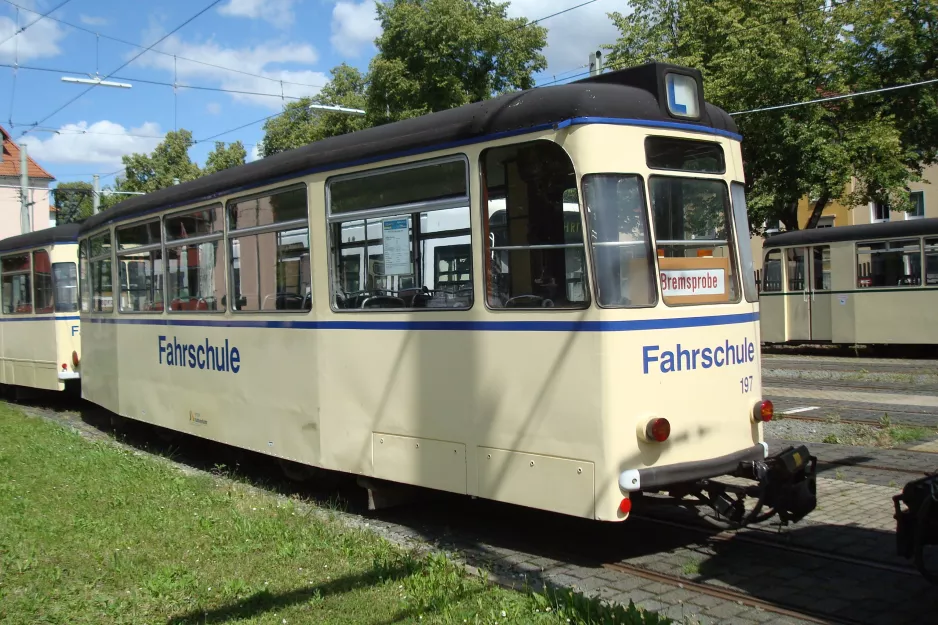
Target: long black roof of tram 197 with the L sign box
pixel 635 95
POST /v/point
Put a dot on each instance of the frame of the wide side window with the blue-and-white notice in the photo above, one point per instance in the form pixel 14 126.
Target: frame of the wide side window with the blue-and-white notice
pixel 409 210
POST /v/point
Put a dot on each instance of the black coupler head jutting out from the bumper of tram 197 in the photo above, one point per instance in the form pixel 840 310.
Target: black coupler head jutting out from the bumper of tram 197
pixel 787 484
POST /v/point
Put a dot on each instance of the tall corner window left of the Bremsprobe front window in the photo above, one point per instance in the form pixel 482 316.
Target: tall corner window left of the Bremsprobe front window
pixel 620 240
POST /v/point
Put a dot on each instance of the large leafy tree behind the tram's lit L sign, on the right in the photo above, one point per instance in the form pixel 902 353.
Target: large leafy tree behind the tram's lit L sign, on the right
pixel 759 55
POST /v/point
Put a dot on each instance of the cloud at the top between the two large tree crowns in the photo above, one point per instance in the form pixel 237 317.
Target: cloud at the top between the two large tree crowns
pixel 571 36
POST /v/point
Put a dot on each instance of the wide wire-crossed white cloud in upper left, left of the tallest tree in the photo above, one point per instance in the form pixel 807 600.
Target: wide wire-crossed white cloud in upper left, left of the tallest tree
pixel 263 60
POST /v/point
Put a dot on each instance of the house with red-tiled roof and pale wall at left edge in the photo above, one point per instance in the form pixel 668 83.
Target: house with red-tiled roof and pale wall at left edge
pixel 41 215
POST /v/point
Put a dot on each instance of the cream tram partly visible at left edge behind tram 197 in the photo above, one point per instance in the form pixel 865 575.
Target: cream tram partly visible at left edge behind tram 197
pixel 40 341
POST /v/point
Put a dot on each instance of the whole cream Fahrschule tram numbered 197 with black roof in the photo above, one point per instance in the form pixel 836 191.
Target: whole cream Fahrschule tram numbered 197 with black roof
pixel 537 299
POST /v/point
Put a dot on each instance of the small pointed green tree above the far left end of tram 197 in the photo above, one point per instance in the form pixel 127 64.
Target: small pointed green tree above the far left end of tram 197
pixel 167 163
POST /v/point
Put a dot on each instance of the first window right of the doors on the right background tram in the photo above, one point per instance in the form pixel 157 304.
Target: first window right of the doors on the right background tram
pixel 889 264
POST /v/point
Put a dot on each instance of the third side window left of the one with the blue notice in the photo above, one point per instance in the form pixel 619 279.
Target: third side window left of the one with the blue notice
pixel 140 267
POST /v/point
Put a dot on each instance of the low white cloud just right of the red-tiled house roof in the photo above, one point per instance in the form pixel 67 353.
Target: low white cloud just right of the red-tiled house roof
pixel 103 142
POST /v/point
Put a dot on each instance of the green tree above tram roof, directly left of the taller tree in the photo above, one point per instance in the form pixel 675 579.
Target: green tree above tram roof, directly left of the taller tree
pixel 299 125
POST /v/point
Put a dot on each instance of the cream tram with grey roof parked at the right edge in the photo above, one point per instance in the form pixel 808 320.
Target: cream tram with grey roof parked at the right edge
pixel 872 284
